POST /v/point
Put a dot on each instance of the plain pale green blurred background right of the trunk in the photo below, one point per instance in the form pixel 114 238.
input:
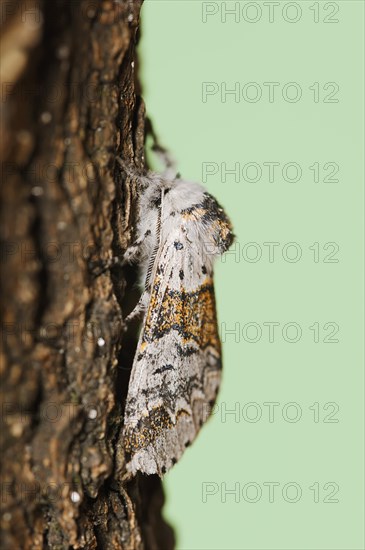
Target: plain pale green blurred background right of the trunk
pixel 314 437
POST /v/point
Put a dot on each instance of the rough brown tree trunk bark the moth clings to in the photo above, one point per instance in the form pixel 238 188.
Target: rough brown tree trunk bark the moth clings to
pixel 69 104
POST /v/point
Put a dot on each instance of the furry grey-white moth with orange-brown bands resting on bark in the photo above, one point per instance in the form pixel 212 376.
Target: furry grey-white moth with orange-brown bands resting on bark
pixel 181 229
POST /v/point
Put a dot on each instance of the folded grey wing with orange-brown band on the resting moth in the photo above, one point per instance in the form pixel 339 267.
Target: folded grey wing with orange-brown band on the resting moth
pixel 177 367
